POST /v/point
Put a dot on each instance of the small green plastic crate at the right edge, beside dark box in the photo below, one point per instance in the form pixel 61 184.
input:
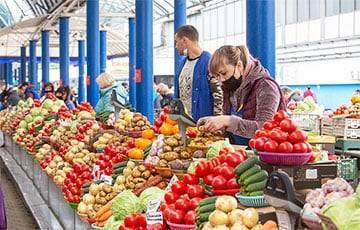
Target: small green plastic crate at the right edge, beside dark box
pixel 347 168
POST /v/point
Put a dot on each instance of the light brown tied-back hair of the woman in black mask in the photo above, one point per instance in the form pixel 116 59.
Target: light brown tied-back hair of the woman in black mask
pixel 229 55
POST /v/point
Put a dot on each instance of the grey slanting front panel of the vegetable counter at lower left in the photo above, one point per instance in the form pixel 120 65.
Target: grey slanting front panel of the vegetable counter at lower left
pixel 48 191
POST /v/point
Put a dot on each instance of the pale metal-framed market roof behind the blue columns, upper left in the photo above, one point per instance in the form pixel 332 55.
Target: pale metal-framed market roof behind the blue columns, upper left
pixel 23 20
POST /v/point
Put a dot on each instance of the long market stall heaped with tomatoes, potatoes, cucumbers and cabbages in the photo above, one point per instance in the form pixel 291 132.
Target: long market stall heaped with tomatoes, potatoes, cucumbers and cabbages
pixel 121 172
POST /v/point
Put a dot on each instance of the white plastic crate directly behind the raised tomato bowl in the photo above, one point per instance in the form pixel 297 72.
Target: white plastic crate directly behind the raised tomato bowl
pixel 307 122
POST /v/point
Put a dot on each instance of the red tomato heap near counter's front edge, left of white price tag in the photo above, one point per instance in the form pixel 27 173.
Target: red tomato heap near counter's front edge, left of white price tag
pixel 74 181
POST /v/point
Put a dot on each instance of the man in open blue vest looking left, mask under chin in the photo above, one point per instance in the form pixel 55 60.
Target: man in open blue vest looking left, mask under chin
pixel 200 93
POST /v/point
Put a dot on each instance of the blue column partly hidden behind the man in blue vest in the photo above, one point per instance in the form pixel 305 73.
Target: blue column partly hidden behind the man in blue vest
pixel 179 20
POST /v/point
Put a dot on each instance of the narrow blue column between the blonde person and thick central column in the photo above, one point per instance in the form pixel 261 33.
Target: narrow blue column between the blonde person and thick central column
pixel 132 59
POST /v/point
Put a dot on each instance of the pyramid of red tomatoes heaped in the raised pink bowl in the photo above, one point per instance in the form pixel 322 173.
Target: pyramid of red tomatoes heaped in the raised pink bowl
pixel 280 135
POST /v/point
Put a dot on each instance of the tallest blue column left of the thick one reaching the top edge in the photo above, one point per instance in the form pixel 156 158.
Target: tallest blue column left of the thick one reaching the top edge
pixel 64 51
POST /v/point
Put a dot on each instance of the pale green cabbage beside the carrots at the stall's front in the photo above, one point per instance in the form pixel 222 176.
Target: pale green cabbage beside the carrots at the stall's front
pixel 125 203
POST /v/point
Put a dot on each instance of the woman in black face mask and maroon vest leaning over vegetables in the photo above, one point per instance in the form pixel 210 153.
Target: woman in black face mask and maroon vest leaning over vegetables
pixel 250 95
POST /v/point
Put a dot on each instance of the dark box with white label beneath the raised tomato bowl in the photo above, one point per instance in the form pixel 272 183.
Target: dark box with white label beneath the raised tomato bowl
pixel 307 176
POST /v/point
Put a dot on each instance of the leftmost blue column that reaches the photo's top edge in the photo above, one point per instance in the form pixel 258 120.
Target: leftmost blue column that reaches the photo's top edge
pixel 93 50
